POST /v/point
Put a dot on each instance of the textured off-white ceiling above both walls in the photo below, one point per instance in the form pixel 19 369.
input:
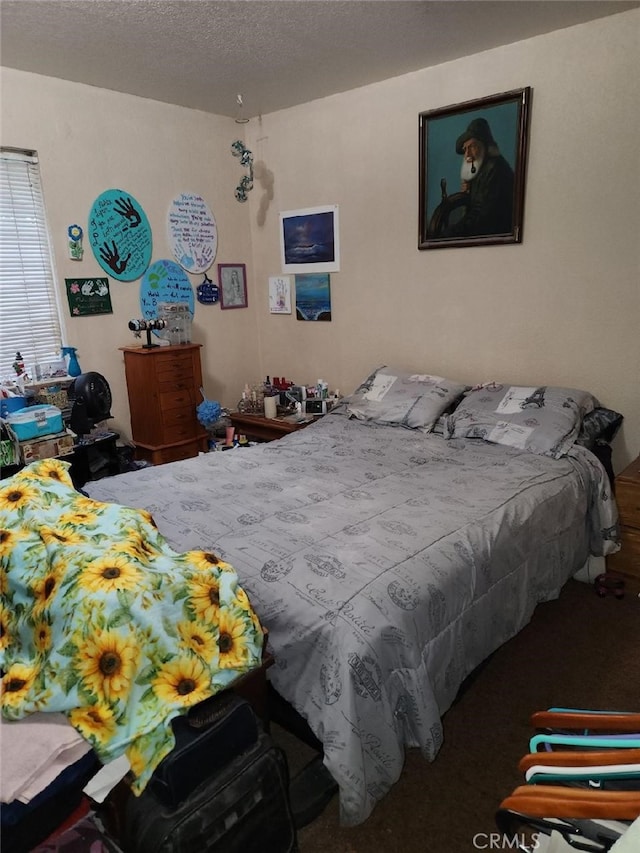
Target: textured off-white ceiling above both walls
pixel 276 54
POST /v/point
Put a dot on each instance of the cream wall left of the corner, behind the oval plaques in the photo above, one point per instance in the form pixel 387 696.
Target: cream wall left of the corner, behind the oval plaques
pixel 90 140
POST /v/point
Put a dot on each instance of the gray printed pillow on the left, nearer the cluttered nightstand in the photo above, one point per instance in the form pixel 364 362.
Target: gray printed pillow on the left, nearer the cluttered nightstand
pixel 397 397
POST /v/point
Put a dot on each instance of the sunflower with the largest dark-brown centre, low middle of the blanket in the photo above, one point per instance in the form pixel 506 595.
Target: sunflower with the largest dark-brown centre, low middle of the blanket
pixel 107 663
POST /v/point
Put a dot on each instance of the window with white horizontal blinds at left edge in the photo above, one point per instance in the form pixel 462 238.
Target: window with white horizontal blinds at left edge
pixel 30 321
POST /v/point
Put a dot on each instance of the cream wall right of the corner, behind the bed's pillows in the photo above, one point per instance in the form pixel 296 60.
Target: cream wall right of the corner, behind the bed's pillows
pixel 563 307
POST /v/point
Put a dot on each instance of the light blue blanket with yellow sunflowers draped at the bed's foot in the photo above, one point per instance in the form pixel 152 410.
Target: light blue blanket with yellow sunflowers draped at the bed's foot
pixel 102 620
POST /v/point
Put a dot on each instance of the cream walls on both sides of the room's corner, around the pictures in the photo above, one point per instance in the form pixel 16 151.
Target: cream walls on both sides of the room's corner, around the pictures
pixel 563 307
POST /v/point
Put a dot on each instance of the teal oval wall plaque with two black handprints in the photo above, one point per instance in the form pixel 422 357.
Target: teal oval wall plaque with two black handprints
pixel 120 235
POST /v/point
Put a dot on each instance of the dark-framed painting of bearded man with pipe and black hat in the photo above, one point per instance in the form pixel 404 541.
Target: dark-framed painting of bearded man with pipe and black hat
pixel 472 167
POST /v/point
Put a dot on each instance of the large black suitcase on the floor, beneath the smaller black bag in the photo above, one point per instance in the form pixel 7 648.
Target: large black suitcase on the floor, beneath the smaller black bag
pixel 242 807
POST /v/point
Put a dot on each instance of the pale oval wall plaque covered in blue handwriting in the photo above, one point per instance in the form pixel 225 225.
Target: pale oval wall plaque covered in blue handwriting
pixel 193 235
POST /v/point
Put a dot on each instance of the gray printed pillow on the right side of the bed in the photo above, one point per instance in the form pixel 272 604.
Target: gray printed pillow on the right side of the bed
pixel 545 420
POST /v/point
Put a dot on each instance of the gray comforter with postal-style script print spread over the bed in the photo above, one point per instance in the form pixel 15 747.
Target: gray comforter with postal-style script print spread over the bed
pixel 387 565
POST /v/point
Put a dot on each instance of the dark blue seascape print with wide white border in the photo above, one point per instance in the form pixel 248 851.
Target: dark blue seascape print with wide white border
pixel 310 240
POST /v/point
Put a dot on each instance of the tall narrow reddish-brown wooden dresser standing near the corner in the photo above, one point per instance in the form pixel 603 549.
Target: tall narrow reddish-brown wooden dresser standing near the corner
pixel 164 384
